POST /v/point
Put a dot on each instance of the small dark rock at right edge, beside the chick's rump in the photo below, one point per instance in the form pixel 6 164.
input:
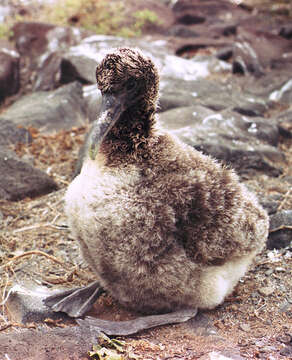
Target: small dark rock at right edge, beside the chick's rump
pixel 280 230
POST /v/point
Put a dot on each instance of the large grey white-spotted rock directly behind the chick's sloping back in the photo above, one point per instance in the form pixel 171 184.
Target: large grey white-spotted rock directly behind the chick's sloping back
pixel 226 136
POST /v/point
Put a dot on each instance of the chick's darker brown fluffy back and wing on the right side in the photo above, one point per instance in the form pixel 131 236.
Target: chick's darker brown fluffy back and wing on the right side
pixel 216 217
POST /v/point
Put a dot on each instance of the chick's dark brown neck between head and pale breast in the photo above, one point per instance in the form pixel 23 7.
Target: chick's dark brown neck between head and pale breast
pixel 128 140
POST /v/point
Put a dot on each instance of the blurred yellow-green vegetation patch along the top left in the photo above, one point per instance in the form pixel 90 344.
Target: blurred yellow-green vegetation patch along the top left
pixel 99 16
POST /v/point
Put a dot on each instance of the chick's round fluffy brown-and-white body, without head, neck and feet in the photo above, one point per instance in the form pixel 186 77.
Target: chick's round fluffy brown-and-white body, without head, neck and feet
pixel 167 230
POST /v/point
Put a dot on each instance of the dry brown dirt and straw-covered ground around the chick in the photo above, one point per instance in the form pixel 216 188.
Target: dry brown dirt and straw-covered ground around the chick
pixel 36 246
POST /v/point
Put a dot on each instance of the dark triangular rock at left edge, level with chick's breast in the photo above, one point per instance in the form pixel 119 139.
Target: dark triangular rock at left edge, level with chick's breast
pixel 19 179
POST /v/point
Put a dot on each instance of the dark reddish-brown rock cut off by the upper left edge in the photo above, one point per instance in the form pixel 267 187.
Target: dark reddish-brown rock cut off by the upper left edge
pixel 9 70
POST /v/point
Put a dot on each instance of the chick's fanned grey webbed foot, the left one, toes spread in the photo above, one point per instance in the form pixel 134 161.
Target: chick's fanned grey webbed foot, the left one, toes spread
pixel 75 302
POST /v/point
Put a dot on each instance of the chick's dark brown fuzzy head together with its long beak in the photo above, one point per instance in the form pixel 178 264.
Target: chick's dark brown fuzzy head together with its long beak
pixel 128 82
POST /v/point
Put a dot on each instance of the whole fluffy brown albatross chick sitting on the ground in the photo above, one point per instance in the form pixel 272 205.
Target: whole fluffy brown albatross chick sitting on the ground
pixel 165 228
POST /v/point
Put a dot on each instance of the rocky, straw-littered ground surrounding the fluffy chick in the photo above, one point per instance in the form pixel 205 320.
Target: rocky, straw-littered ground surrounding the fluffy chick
pixel 232 94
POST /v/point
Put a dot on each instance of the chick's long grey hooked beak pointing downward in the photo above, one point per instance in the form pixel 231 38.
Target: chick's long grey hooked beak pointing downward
pixel 111 109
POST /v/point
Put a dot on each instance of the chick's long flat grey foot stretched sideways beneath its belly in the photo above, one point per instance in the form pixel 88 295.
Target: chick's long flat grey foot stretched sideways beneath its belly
pixel 141 323
